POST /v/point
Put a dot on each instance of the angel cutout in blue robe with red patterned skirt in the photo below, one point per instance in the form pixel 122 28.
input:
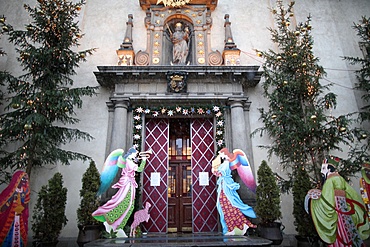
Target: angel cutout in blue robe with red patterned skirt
pixel 233 211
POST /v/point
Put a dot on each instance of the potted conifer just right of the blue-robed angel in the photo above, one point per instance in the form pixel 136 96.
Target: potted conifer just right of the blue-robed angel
pixel 268 205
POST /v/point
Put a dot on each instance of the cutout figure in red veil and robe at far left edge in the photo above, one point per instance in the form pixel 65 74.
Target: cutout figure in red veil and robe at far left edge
pixel 14 212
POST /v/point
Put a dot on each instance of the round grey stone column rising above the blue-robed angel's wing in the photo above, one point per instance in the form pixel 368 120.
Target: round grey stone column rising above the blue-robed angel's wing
pixel 238 134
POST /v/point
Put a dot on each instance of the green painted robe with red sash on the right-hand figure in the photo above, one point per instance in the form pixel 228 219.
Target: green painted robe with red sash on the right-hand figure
pixel 339 214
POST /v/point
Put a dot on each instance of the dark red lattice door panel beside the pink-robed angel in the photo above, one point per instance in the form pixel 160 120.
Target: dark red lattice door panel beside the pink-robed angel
pixel 156 138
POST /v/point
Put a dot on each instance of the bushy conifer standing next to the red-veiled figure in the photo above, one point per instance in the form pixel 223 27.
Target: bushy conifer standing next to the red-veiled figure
pixel 49 216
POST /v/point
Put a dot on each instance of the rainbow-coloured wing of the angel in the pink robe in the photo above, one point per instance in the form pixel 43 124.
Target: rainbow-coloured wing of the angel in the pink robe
pixel 109 171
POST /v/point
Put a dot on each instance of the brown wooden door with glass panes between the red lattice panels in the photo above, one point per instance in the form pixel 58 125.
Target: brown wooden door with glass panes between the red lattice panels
pixel 179 176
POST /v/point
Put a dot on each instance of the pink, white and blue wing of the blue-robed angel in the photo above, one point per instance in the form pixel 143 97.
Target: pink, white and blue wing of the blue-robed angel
pixel 241 164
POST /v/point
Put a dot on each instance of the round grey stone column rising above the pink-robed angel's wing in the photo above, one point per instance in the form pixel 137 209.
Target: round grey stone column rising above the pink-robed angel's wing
pixel 119 125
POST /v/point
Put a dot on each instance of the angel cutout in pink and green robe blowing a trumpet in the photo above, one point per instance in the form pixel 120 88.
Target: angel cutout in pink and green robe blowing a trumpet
pixel 115 212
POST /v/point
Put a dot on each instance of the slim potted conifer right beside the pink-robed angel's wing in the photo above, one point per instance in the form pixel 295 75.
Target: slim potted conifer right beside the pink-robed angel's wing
pixel 89 228
